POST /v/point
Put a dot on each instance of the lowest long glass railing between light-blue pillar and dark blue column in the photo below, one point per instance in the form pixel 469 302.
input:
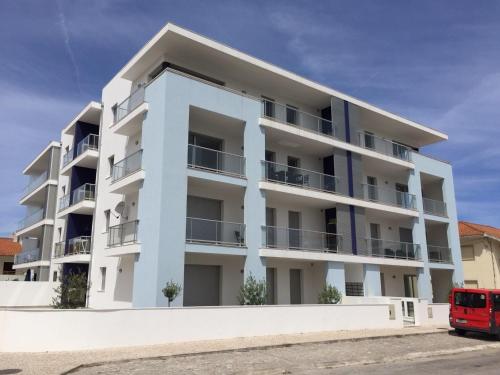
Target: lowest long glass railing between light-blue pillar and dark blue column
pixel 300 239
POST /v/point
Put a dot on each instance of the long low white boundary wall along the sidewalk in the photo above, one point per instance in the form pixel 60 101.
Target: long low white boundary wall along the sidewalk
pixel 121 328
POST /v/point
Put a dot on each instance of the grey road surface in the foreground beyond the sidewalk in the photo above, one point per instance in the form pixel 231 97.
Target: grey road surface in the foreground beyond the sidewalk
pixel 436 353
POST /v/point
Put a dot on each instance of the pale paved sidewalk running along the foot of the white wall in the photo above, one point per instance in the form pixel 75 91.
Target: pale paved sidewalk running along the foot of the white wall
pixel 60 362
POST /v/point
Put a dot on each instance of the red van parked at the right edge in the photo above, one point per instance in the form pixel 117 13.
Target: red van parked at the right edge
pixel 476 310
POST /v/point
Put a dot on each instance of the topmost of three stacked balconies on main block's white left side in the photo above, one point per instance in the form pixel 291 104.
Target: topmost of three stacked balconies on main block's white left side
pixel 130 113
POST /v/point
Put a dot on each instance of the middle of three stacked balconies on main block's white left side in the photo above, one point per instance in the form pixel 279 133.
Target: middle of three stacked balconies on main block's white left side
pixel 127 175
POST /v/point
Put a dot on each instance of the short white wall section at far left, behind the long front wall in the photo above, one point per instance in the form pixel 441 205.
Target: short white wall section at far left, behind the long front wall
pixel 26 293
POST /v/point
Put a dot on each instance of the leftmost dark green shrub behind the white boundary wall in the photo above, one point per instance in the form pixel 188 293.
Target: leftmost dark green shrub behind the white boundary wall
pixel 71 292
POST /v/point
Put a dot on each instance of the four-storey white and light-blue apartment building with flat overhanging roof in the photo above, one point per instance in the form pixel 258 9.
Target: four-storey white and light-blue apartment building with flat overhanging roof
pixel 204 165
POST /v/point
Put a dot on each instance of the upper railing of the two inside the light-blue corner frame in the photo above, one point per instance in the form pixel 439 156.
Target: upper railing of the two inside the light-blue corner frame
pixel 216 161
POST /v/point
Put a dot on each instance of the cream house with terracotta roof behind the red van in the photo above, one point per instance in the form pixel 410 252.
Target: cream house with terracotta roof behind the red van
pixel 480 255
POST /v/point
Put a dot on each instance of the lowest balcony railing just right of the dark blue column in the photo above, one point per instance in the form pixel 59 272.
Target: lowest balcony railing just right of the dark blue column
pixel 388 249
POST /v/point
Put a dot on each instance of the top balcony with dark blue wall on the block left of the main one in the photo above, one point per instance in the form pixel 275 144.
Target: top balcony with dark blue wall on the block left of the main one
pixel 85 155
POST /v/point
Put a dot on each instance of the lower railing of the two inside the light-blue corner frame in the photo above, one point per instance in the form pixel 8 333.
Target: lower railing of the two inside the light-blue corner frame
pixel 215 232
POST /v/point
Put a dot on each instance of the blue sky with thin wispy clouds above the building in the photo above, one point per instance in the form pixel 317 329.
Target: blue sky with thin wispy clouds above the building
pixel 434 62
